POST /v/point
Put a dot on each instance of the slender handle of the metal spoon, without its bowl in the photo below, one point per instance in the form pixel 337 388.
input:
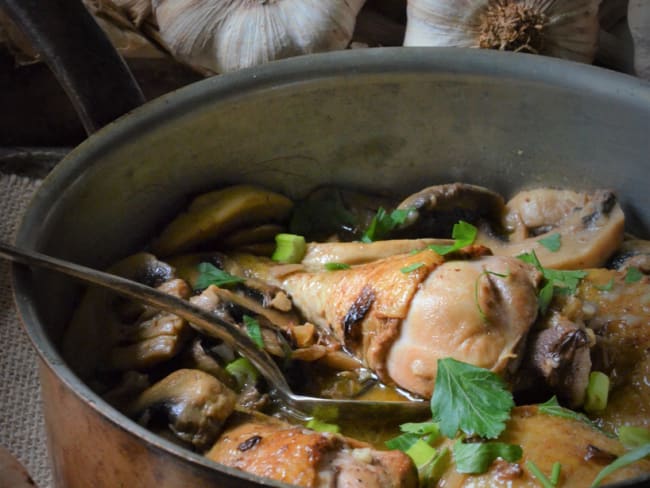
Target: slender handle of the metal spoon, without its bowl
pixel 204 321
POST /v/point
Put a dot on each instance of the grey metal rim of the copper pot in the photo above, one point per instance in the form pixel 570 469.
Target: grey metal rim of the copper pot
pixel 300 70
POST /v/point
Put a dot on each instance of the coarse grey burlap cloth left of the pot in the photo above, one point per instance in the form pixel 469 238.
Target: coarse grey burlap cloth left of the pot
pixel 22 429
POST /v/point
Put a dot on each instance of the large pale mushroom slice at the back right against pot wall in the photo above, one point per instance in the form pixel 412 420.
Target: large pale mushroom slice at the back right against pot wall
pixel 588 227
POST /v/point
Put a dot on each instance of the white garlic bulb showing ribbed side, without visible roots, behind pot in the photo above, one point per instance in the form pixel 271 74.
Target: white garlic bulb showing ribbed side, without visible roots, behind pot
pixel 226 35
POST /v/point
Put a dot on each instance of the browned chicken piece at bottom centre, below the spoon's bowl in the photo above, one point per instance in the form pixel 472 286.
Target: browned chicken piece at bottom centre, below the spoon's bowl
pixel 268 447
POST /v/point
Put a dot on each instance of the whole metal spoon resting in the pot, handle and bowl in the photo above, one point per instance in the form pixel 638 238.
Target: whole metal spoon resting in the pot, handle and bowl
pixel 214 326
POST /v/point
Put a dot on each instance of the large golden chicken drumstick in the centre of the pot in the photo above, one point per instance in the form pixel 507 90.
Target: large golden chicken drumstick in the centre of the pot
pixel 403 313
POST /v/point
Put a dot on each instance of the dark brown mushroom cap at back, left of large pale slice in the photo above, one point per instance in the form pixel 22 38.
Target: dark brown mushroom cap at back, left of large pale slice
pixel 436 209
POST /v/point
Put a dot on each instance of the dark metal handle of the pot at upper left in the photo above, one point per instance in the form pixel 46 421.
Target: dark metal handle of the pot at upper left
pixel 93 74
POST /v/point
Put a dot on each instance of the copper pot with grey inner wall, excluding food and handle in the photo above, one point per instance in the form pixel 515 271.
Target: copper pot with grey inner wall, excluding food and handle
pixel 382 119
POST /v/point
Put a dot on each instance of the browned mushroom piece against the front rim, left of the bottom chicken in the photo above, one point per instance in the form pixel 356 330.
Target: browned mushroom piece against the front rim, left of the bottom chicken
pixel 195 405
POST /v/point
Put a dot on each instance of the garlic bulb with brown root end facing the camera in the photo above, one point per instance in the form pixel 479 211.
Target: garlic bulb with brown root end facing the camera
pixel 562 28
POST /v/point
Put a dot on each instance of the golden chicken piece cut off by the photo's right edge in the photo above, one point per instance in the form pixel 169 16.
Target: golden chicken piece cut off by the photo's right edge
pixel 620 318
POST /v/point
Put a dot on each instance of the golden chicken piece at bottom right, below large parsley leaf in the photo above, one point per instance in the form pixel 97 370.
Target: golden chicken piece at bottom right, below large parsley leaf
pixel 545 439
